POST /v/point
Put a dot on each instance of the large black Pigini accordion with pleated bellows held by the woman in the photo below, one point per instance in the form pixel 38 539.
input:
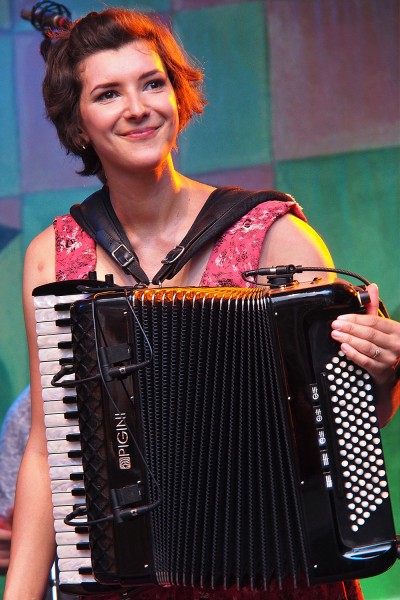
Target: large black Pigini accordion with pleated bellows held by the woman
pixel 224 440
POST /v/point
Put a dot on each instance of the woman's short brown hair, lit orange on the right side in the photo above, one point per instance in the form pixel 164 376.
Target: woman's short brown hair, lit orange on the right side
pixel 110 30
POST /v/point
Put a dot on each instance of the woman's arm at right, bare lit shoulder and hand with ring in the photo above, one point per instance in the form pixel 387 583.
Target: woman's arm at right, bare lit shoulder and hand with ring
pixel 291 241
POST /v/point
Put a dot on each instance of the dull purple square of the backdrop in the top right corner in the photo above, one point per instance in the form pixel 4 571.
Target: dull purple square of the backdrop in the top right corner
pixel 332 91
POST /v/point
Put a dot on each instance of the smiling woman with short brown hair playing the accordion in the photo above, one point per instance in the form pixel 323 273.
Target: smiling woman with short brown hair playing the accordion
pixel 119 90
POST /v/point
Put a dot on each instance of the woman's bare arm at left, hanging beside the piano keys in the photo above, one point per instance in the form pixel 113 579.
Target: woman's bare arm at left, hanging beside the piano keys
pixel 32 545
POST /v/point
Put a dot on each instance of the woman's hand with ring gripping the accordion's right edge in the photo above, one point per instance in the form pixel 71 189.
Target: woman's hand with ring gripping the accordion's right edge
pixel 372 342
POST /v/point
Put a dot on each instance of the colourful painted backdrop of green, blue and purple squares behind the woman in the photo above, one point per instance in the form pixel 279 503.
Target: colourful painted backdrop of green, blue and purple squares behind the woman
pixel 303 97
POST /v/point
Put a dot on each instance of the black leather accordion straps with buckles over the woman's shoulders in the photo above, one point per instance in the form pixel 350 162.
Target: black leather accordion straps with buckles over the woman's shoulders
pixel 222 209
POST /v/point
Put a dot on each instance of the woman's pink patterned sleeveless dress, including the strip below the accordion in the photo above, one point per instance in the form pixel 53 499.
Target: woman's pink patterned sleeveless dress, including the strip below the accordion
pixel 237 249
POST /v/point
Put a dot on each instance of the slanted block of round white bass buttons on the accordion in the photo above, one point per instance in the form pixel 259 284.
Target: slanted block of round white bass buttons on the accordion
pixel 356 425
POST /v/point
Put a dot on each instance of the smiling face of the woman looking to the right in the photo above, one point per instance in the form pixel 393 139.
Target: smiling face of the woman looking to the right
pixel 128 108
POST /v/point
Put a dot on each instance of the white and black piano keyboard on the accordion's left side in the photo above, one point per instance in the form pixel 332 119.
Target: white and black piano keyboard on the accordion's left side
pixel 63 438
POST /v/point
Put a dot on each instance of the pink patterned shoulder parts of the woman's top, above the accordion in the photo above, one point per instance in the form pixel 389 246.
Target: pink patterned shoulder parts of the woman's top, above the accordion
pixel 237 250
